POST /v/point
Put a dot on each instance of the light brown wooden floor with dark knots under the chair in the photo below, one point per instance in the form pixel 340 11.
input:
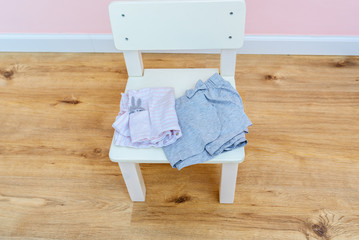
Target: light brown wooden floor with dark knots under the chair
pixel 300 178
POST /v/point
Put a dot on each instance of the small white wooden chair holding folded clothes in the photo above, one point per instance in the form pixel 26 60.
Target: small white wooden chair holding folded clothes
pixel 175 25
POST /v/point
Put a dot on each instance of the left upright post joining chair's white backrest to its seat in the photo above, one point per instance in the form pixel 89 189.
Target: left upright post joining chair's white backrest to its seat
pixel 134 63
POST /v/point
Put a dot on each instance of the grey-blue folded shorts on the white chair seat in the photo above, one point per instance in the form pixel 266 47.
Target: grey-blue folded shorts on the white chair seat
pixel 212 121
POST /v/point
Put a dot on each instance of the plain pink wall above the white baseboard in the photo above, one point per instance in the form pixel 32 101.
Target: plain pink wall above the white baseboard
pixel 282 17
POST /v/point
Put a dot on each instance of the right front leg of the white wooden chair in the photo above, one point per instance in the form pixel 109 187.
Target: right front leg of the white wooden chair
pixel 228 182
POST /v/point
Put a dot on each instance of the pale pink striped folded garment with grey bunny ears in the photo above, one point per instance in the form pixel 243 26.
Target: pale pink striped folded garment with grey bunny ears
pixel 147 118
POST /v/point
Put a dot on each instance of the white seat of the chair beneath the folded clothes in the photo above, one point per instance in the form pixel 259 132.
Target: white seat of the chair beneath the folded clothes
pixel 181 80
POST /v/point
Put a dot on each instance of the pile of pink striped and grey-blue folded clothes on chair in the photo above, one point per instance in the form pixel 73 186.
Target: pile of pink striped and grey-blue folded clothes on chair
pixel 207 121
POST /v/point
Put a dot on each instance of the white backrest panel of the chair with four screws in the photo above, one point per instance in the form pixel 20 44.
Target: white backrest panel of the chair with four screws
pixel 186 24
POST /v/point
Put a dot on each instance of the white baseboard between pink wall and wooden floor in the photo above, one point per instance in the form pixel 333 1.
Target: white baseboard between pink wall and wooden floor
pixel 253 44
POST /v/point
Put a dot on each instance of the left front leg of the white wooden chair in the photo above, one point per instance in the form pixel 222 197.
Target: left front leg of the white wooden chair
pixel 131 173
